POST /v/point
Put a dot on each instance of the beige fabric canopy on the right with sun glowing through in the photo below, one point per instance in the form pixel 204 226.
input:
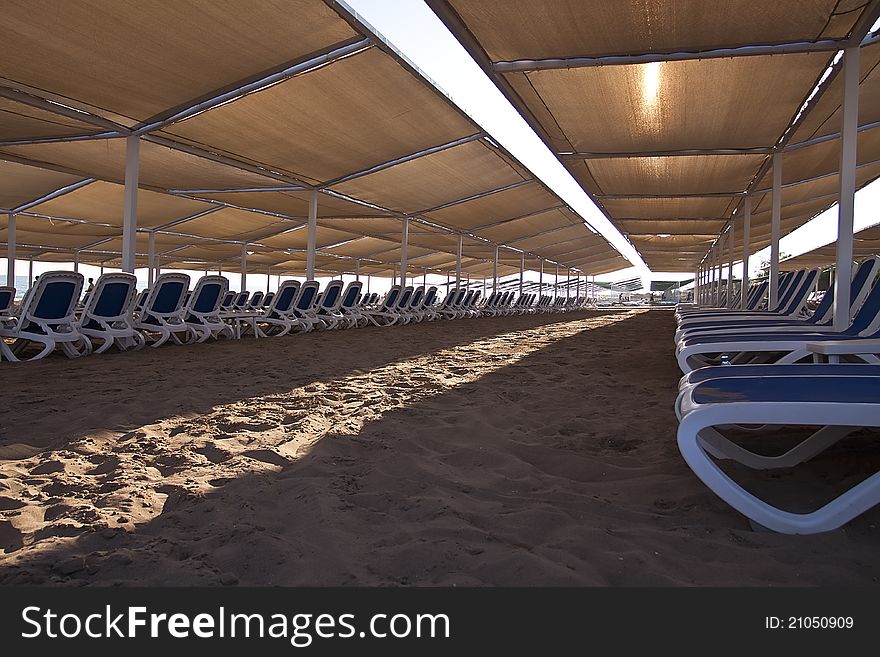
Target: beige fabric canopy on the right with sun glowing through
pixel 667 113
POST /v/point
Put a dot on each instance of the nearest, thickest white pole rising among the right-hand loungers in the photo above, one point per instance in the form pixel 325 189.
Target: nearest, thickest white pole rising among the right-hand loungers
pixel 846 203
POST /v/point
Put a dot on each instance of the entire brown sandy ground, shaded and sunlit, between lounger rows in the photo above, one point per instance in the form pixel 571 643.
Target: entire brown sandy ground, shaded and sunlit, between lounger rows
pixel 536 450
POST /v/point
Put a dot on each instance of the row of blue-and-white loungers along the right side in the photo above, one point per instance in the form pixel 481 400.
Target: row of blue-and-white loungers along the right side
pixel 759 369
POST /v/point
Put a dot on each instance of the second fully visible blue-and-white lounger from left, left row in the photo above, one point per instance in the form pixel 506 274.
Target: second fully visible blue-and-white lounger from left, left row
pixel 107 314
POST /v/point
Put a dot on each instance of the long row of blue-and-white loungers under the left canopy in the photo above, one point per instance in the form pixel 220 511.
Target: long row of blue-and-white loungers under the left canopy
pixel 114 313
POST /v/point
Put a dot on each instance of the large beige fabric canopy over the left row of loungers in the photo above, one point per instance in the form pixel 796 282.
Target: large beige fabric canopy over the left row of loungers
pixel 242 112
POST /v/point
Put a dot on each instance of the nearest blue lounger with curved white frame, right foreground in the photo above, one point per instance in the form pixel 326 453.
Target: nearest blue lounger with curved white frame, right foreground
pixel 837 404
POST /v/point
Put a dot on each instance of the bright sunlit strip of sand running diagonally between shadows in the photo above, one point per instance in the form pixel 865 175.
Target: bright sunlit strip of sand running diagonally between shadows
pixel 110 482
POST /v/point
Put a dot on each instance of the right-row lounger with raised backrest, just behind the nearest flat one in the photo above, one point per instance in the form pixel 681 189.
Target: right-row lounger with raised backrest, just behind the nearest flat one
pixel 780 347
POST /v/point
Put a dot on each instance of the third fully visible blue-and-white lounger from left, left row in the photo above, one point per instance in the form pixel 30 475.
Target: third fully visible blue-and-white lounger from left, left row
pixel 162 317
